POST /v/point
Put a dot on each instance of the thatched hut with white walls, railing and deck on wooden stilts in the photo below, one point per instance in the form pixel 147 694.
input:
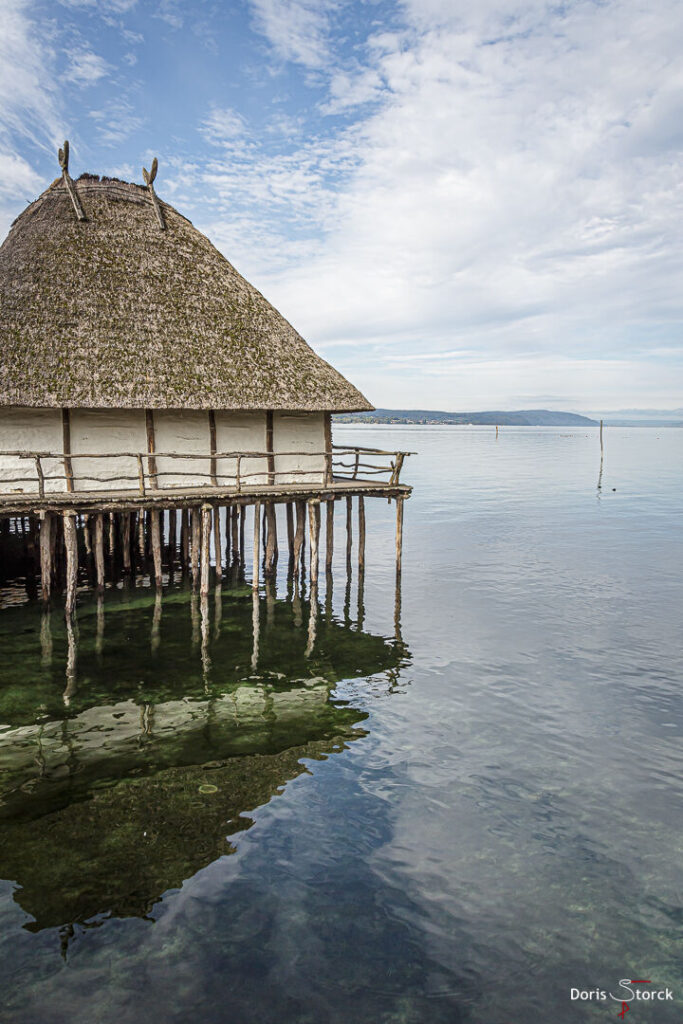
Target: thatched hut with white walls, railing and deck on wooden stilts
pixel 142 373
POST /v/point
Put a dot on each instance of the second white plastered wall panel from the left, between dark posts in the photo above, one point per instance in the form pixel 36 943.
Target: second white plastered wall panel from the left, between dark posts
pixel 107 432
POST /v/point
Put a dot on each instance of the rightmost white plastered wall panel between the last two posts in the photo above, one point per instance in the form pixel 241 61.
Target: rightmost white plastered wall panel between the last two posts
pixel 303 434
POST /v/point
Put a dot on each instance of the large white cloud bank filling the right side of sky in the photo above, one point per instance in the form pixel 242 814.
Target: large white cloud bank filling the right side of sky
pixel 518 193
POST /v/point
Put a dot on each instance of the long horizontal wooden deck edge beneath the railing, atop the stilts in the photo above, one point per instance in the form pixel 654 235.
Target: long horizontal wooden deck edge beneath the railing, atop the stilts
pixel 101 502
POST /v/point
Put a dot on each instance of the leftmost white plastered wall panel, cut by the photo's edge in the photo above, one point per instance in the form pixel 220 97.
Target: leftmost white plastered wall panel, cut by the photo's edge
pixel 30 431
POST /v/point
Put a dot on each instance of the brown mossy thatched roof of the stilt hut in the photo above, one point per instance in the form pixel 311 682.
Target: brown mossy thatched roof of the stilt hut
pixel 112 312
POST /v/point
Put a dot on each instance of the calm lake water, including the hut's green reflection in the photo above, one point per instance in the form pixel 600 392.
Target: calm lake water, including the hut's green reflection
pixel 456 810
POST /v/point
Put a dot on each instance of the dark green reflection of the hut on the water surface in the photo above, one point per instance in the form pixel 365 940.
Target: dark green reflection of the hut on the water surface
pixel 104 802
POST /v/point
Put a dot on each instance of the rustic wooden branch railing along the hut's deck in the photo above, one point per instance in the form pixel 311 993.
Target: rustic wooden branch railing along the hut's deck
pixel 148 473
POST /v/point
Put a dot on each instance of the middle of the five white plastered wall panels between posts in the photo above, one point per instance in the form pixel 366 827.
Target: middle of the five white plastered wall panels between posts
pixel 185 432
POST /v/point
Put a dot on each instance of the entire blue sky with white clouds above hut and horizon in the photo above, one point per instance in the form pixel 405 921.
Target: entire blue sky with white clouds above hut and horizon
pixel 460 204
